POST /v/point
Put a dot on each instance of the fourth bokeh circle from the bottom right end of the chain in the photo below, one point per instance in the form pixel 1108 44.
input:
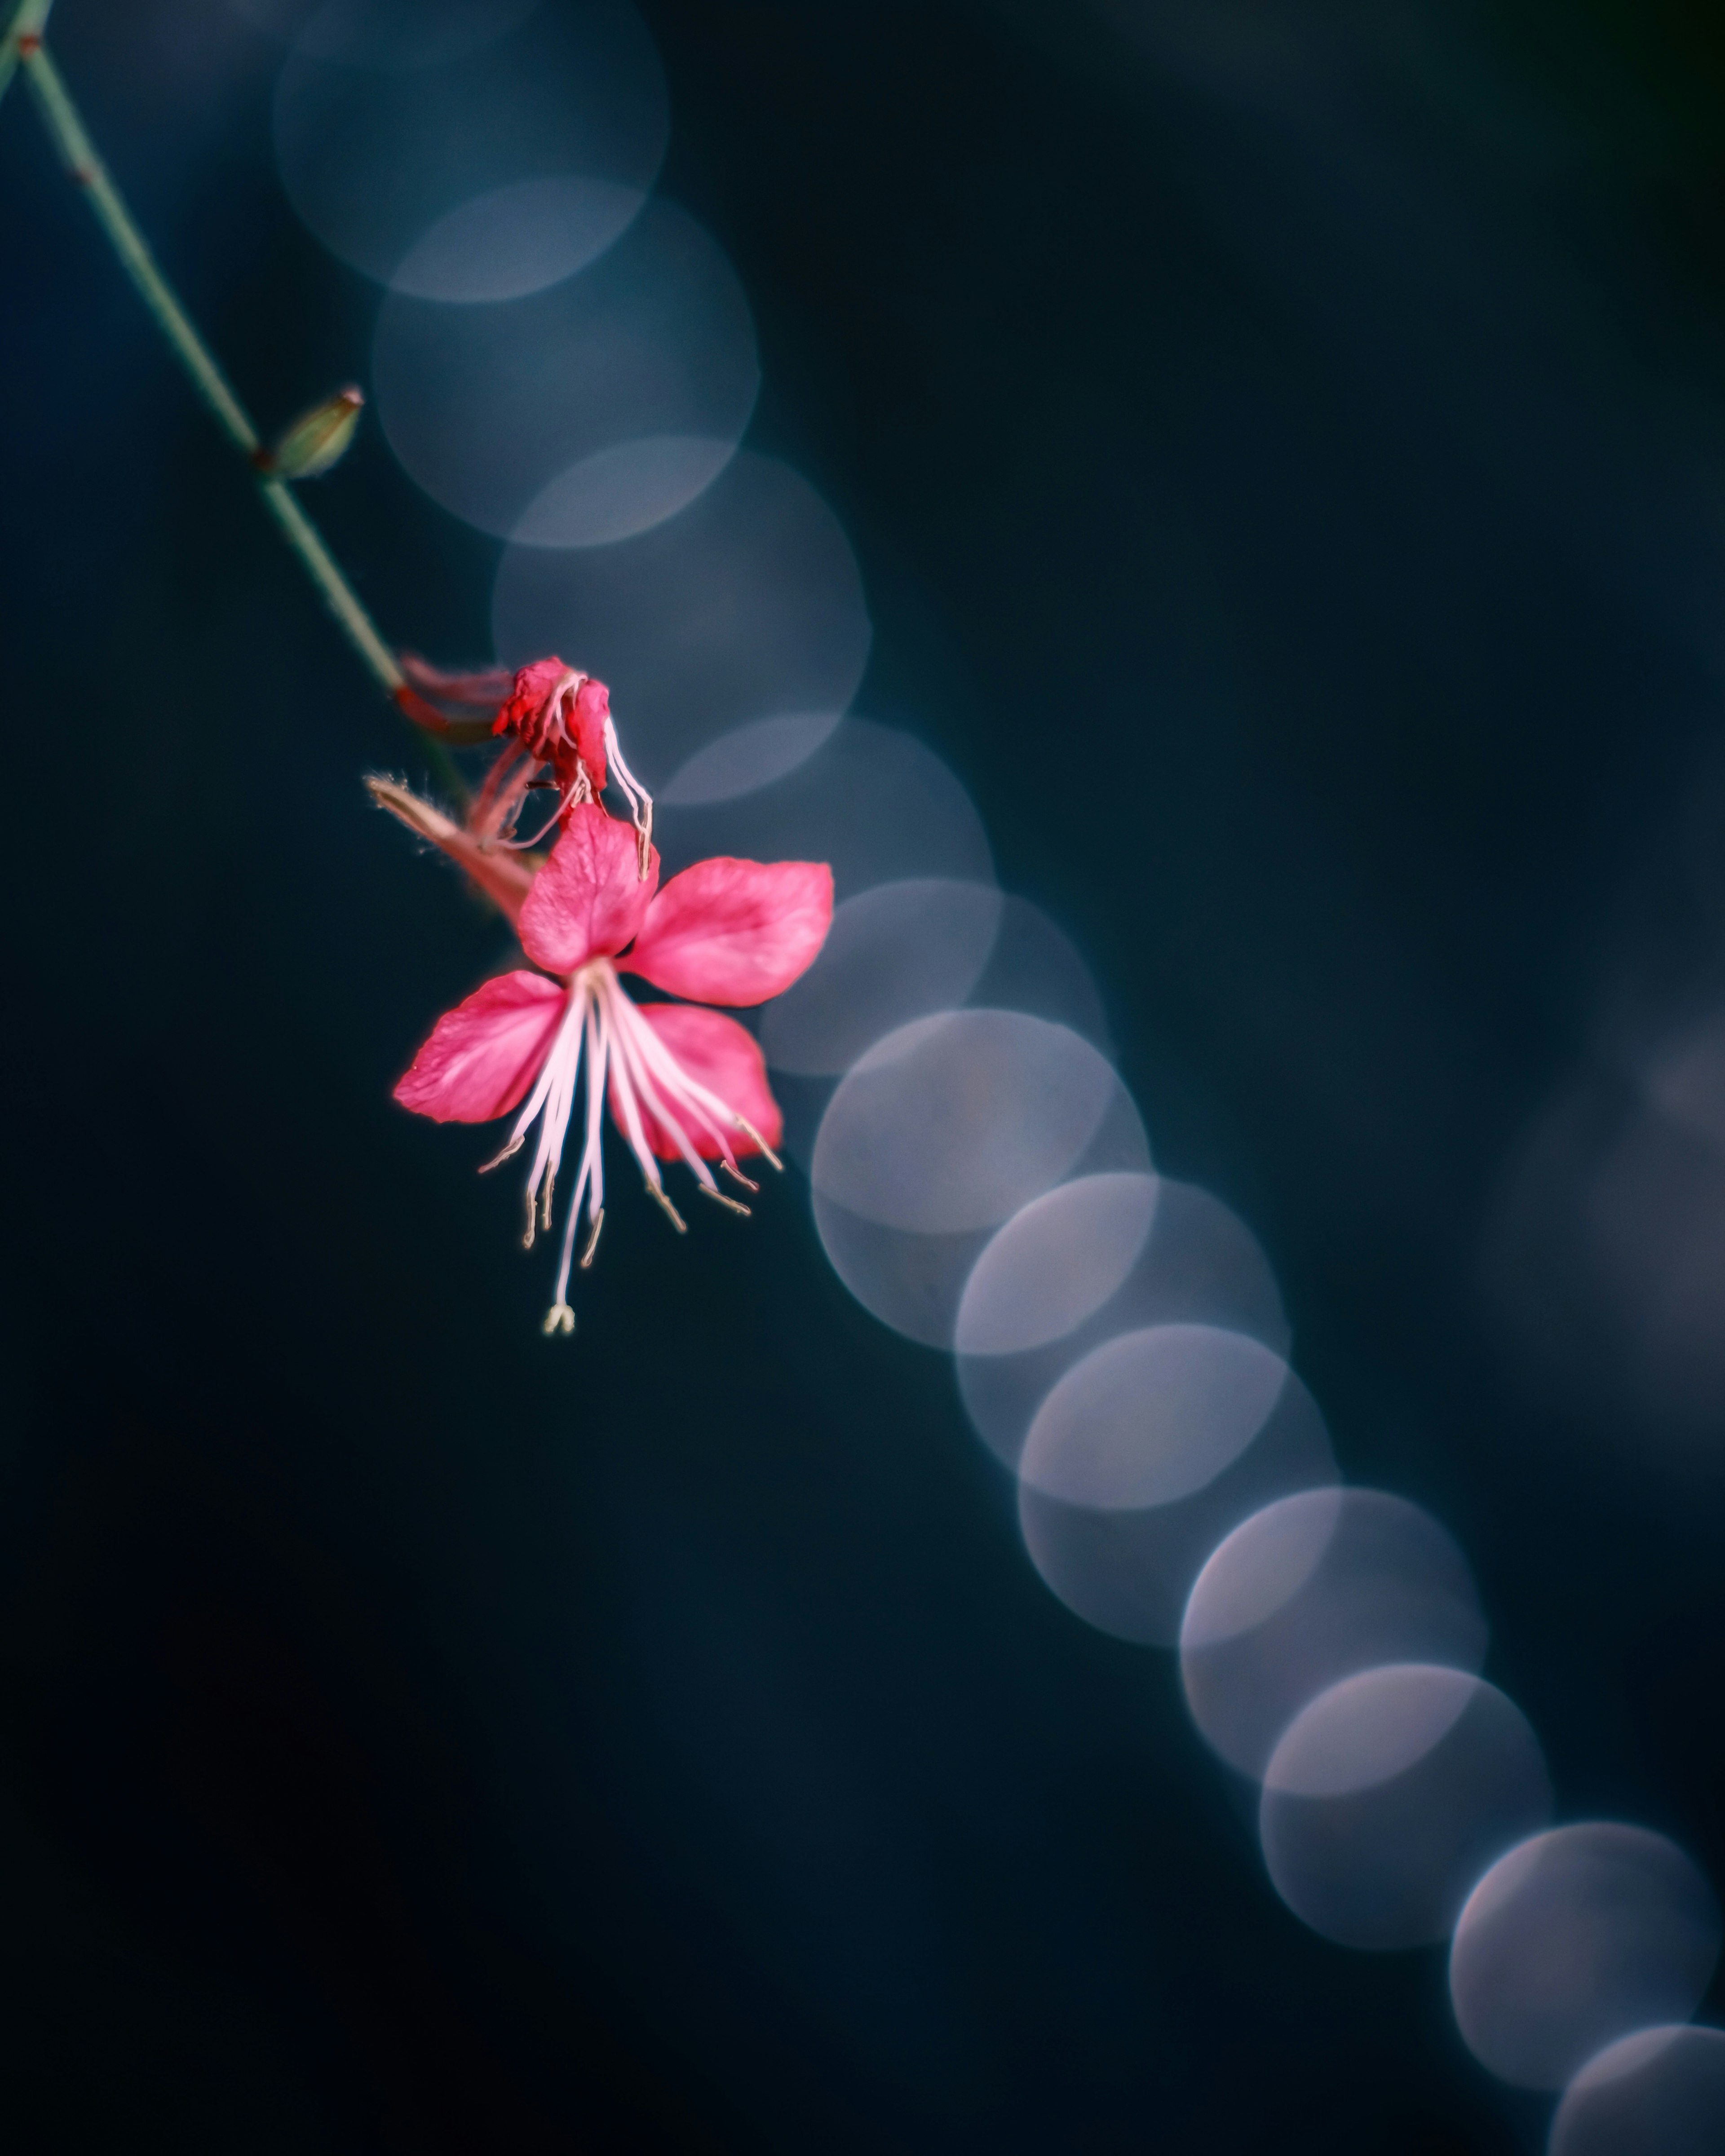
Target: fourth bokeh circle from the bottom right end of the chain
pixel 1314 1590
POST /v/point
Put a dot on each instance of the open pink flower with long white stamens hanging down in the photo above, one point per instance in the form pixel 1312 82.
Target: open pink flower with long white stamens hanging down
pixel 682 1081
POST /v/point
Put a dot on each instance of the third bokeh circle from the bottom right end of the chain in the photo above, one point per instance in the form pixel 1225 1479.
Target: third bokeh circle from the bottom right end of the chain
pixel 1388 1797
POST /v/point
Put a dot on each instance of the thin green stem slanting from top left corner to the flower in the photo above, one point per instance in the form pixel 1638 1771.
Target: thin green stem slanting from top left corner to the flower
pixel 195 357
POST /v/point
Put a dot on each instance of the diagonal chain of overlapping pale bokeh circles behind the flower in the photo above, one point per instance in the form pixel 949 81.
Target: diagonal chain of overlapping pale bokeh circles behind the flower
pixel 566 361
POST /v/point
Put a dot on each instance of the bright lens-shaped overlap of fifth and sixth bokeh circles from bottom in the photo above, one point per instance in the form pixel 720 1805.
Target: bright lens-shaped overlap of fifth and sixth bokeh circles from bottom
pixel 1153 1418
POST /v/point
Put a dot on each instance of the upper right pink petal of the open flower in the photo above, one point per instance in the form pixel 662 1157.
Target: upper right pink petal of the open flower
pixel 736 930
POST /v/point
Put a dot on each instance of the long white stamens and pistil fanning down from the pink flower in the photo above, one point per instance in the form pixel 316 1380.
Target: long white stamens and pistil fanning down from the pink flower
pixel 650 1094
